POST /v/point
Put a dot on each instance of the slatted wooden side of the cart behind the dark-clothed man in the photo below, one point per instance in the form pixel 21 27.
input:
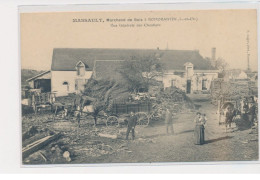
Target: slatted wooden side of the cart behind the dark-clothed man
pixel 127 107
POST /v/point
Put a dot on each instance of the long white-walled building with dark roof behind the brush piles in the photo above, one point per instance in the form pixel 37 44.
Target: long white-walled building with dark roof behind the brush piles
pixel 72 67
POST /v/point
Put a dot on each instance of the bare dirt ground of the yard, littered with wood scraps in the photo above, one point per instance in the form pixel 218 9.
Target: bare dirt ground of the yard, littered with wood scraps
pixel 152 144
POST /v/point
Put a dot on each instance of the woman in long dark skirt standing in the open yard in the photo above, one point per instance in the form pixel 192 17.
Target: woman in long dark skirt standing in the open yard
pixel 199 128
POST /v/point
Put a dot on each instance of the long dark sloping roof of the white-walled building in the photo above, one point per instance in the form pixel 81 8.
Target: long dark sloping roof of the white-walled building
pixel 65 59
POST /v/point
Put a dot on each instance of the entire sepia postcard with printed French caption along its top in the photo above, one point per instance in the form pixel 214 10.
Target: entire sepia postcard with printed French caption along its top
pixel 157 86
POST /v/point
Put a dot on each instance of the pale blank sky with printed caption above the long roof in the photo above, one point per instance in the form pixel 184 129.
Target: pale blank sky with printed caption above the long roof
pixel 232 32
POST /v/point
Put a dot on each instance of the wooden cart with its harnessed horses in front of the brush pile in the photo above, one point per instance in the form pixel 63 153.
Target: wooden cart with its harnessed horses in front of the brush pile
pixel 119 112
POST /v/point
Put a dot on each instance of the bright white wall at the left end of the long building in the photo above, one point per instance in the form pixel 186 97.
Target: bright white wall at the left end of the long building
pixel 59 77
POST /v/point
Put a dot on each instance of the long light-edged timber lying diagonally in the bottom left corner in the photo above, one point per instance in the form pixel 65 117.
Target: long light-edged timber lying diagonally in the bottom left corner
pixel 39 144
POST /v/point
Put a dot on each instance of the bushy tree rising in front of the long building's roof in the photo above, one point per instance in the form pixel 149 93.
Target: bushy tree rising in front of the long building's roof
pixel 140 72
